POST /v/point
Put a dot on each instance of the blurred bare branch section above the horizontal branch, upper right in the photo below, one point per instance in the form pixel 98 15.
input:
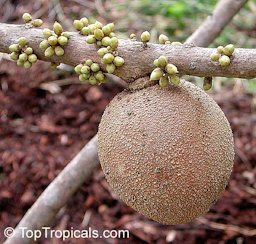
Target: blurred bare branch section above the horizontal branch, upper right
pixel 214 24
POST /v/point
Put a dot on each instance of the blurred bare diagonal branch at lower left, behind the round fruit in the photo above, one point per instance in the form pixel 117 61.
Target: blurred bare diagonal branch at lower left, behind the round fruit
pixel 56 195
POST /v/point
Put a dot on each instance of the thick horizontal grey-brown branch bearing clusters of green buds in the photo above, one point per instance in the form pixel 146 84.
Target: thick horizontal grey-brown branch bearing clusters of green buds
pixel 190 60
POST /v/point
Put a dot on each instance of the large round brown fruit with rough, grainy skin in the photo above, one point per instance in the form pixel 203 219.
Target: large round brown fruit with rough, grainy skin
pixel 168 153
